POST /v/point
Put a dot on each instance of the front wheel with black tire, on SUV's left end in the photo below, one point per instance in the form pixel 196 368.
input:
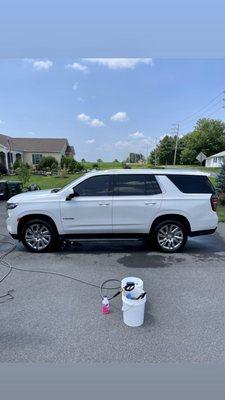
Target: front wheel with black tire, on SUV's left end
pixel 51 236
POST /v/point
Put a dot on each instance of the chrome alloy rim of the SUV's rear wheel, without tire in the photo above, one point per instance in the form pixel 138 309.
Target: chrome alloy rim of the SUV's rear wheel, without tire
pixel 170 237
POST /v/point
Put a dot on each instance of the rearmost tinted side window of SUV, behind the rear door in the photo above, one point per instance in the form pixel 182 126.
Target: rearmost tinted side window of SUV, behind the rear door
pixel 192 183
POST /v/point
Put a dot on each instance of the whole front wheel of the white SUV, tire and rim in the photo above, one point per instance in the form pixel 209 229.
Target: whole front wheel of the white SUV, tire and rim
pixel 39 236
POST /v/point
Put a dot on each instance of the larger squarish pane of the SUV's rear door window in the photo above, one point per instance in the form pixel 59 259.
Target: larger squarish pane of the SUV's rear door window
pixel 130 185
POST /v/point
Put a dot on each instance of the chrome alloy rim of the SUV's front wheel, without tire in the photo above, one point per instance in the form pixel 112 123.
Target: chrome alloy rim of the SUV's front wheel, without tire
pixel 38 236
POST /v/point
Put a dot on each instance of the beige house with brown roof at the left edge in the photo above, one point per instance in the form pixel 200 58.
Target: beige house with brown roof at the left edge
pixel 31 150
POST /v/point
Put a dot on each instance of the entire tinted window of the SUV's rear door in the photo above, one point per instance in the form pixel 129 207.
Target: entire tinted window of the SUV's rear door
pixel 135 185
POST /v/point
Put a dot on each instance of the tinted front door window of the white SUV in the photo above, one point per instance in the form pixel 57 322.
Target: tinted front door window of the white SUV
pixel 95 186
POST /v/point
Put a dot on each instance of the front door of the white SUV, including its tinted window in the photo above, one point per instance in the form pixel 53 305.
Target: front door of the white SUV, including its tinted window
pixel 90 211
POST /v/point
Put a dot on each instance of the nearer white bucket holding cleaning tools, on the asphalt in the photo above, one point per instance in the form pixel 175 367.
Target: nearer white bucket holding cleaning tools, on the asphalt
pixel 134 310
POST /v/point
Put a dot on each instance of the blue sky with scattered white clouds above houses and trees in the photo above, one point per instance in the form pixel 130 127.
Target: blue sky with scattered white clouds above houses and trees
pixel 107 107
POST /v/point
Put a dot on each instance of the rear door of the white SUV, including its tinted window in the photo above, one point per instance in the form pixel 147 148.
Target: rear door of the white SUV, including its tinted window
pixel 137 200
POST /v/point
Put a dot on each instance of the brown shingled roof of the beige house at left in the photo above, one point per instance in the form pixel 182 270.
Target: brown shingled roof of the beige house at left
pixel 38 145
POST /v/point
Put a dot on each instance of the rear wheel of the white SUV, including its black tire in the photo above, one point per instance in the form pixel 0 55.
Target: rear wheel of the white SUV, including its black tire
pixel 173 244
